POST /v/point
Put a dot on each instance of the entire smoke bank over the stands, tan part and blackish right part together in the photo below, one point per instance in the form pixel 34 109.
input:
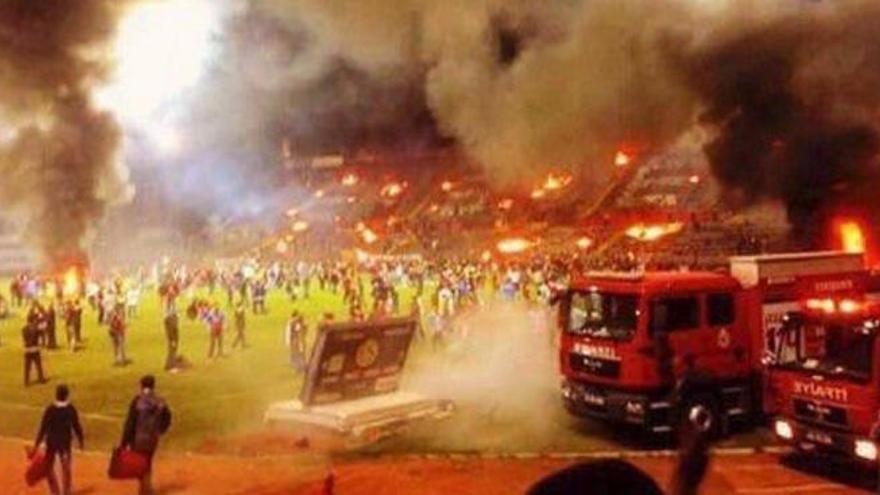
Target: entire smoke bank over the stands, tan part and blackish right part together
pixel 787 88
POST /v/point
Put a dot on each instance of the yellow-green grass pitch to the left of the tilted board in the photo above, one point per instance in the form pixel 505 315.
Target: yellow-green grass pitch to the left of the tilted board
pixel 213 399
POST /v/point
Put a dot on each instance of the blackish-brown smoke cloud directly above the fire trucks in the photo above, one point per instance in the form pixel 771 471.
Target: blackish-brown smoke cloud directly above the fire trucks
pixel 793 100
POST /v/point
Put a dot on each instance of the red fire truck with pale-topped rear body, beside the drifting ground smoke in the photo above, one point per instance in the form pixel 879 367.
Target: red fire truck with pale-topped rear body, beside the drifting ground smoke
pixel 649 349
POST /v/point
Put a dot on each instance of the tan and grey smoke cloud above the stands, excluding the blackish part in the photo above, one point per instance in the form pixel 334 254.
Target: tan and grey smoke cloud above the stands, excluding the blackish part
pixel 521 86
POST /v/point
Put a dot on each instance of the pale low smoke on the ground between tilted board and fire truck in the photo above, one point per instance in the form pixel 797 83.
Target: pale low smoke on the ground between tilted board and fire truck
pixel 502 378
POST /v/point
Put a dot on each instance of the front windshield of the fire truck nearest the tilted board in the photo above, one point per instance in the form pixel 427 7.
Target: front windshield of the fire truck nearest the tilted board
pixel 603 315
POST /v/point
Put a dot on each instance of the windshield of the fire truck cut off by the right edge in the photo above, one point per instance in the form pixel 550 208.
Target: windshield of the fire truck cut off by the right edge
pixel 837 349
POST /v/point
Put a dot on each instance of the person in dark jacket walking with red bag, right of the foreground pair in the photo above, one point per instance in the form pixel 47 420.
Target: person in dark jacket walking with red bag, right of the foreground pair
pixel 148 419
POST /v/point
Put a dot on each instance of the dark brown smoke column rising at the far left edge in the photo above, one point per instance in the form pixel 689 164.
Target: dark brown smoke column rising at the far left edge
pixel 58 159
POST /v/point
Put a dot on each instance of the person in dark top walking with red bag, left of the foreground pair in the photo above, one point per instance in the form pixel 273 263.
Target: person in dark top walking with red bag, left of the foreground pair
pixel 60 423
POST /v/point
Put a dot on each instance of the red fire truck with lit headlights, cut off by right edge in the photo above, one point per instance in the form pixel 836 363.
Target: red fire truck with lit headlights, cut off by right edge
pixel 826 393
